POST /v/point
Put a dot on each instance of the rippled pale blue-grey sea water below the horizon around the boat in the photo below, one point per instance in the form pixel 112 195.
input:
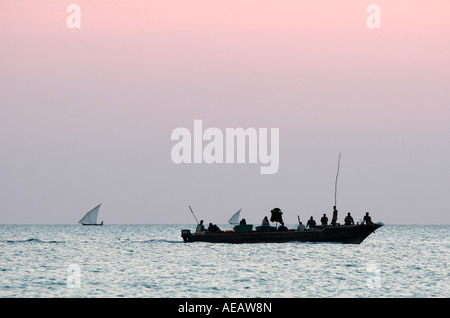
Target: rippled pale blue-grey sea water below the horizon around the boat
pixel 153 261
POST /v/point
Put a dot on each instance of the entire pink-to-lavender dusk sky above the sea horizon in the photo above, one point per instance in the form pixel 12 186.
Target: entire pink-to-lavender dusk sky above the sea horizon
pixel 86 114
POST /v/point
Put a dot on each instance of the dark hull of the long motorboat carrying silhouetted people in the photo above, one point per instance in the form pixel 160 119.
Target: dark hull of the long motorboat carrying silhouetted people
pixel 353 234
